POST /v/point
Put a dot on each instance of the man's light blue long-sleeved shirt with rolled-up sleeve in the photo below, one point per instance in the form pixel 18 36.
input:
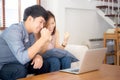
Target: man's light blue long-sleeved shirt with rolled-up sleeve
pixel 14 42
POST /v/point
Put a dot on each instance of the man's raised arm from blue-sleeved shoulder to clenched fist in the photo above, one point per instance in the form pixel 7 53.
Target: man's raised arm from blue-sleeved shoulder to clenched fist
pixel 16 43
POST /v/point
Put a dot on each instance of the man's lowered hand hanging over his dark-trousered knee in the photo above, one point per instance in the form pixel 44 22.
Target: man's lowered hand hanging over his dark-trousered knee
pixel 37 62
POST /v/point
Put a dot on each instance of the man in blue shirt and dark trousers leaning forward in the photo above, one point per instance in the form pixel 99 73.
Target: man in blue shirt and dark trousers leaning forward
pixel 16 46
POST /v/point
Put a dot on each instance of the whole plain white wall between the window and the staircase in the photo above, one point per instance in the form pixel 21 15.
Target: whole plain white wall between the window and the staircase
pixel 78 17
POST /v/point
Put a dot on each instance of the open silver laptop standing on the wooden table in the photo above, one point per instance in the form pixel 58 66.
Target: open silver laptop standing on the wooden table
pixel 90 61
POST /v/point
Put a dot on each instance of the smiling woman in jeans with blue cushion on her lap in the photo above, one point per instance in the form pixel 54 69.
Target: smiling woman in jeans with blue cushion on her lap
pixel 61 58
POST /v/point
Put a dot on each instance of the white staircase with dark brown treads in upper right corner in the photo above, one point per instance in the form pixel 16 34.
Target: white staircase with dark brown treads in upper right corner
pixel 110 11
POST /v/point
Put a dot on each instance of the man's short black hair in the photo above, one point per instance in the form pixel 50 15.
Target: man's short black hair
pixel 35 11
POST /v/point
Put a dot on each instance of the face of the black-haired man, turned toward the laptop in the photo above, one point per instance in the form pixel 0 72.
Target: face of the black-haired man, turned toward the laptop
pixel 38 24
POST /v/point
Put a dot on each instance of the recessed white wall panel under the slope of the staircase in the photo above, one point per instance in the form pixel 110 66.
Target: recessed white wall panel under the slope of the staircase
pixel 84 24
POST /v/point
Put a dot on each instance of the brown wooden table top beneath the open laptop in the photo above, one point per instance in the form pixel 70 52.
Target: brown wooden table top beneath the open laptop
pixel 106 72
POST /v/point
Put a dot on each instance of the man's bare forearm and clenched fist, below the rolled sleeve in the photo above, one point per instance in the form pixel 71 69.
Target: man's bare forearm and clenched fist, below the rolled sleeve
pixel 37 46
